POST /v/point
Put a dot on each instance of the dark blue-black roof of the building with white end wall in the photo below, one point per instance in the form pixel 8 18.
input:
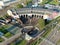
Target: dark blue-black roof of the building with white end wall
pixel 31 32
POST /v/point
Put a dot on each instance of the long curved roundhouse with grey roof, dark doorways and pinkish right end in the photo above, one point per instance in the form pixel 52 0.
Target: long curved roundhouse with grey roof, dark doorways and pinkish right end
pixel 37 12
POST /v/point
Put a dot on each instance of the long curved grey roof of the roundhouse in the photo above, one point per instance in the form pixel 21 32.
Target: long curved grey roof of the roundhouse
pixel 34 10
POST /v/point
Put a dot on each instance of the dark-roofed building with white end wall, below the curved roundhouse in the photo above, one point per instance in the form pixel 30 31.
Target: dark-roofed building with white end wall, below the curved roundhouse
pixel 30 33
